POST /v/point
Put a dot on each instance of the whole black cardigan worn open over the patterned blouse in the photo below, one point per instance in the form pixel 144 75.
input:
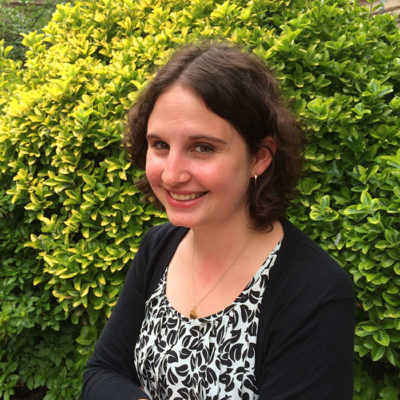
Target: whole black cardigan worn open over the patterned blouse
pixel 305 338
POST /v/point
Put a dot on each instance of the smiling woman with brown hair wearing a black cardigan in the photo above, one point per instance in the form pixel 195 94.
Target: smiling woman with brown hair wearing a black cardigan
pixel 228 300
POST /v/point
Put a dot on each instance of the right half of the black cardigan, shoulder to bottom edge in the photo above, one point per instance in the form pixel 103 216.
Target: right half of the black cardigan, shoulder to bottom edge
pixel 305 338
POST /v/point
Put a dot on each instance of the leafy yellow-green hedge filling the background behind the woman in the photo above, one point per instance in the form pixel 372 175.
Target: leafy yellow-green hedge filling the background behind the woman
pixel 71 218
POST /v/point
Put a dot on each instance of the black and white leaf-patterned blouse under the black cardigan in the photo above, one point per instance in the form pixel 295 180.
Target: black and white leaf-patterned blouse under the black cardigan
pixel 206 358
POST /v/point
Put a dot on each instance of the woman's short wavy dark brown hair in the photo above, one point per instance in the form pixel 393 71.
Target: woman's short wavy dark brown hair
pixel 240 88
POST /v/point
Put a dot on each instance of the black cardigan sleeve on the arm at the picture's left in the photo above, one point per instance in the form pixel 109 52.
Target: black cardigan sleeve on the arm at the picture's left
pixel 110 373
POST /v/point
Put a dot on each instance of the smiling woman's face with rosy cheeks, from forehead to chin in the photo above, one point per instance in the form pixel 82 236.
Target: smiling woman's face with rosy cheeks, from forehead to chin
pixel 197 164
